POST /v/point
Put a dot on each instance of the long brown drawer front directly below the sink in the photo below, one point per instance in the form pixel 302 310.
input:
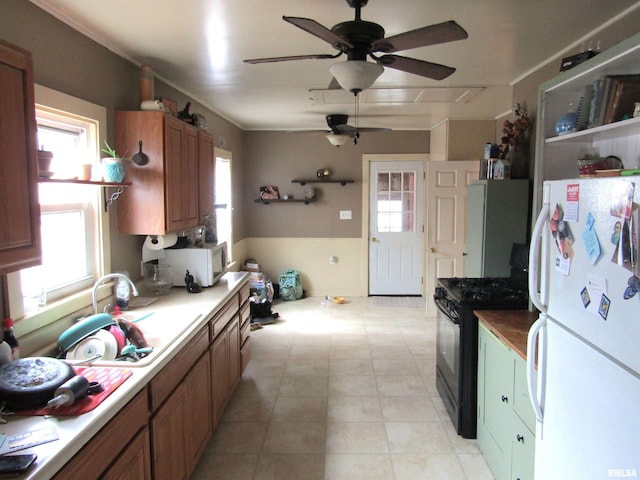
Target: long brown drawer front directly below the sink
pixel 172 374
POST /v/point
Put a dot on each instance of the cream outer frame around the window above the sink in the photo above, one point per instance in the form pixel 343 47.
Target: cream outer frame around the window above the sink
pixel 50 100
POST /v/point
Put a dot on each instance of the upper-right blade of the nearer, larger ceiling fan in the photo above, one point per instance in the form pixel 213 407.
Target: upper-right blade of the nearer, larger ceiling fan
pixel 431 35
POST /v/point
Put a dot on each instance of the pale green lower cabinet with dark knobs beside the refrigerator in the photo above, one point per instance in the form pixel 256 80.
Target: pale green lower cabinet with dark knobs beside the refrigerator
pixel 506 422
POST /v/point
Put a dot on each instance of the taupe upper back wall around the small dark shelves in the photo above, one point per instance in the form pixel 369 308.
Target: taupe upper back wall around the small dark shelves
pixel 276 158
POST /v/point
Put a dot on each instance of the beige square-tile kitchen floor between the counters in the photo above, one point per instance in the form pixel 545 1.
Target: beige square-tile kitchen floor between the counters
pixel 337 392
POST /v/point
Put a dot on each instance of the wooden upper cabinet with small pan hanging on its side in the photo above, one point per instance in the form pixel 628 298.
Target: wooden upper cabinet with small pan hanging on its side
pixel 165 193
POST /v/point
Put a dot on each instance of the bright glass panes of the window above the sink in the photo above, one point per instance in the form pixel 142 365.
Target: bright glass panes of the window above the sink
pixel 69 213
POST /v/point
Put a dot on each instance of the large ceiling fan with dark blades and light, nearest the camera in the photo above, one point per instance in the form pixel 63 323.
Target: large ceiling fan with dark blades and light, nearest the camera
pixel 359 39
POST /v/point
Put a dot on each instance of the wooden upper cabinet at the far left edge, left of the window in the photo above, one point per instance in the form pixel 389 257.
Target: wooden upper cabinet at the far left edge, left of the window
pixel 20 244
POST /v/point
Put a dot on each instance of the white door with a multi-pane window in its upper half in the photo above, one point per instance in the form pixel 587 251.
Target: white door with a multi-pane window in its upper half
pixel 396 228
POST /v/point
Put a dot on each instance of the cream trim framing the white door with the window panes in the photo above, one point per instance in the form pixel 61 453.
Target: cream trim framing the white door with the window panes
pixel 367 159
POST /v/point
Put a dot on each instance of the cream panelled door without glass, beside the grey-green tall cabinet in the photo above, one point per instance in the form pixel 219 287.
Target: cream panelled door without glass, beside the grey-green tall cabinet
pixel 446 219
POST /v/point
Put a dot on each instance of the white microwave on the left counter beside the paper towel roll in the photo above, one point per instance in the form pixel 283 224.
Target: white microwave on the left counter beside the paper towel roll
pixel 207 264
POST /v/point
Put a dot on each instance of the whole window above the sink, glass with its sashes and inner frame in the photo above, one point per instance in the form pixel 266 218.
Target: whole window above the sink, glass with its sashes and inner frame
pixel 73 223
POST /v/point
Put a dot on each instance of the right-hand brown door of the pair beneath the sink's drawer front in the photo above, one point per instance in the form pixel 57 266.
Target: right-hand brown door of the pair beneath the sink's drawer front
pixel 198 419
